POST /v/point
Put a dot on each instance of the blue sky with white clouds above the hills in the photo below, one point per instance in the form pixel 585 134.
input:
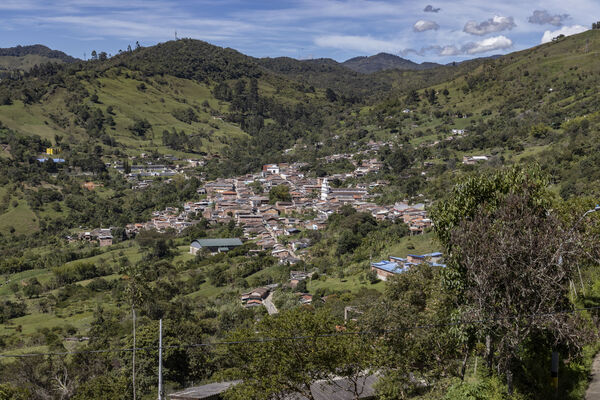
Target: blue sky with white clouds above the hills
pixel 429 30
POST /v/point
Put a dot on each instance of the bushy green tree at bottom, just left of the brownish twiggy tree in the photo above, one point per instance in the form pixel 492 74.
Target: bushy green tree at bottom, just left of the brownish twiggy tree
pixel 409 357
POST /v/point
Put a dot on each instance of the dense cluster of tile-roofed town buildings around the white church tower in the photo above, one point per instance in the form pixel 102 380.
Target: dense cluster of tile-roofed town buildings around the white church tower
pixel 244 200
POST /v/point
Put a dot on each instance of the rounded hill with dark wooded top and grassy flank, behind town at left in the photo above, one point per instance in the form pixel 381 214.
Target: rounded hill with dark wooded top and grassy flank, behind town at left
pixel 213 99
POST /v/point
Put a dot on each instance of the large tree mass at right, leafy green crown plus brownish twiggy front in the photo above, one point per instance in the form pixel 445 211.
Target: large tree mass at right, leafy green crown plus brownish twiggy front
pixel 511 262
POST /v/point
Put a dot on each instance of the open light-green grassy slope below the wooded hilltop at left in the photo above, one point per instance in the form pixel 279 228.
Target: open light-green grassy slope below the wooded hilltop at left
pixel 156 104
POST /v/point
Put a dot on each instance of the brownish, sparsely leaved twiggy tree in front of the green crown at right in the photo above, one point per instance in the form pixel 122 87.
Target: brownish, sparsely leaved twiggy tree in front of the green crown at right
pixel 518 266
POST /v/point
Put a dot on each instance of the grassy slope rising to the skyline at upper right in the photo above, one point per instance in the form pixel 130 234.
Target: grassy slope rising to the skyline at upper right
pixel 532 72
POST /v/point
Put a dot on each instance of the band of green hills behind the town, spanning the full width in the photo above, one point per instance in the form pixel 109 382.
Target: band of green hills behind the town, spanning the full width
pixel 218 101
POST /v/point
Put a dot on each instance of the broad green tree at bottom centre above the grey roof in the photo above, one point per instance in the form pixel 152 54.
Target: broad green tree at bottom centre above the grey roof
pixel 276 368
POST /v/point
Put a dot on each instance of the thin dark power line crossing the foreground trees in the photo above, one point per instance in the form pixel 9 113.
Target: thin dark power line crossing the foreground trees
pixel 298 337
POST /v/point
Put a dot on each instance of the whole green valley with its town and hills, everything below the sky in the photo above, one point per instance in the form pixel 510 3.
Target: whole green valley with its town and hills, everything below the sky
pixel 245 201
